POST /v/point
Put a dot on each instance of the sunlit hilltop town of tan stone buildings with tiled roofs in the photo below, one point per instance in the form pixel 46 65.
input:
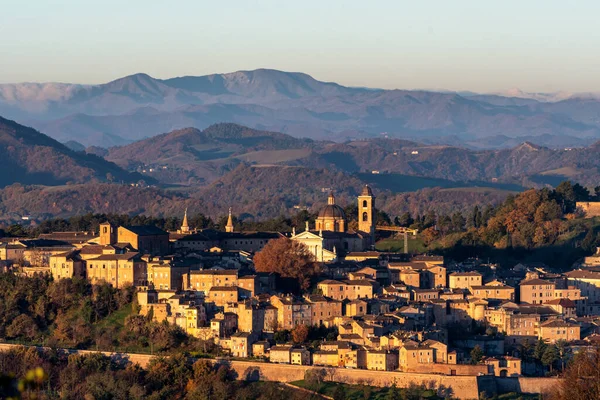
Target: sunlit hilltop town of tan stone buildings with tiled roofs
pixel 374 310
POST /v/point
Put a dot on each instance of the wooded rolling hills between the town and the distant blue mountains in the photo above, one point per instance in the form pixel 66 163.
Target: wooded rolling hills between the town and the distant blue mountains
pixel 192 157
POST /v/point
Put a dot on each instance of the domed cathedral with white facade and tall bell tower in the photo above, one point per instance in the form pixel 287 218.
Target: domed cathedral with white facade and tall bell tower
pixel 331 237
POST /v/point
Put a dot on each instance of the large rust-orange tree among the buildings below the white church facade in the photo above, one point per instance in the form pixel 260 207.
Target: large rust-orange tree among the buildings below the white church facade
pixel 288 258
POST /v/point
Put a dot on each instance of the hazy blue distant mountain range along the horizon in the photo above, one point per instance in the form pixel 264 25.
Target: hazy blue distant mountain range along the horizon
pixel 139 106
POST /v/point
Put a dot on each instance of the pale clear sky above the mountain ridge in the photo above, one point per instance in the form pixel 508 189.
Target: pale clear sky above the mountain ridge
pixel 477 45
